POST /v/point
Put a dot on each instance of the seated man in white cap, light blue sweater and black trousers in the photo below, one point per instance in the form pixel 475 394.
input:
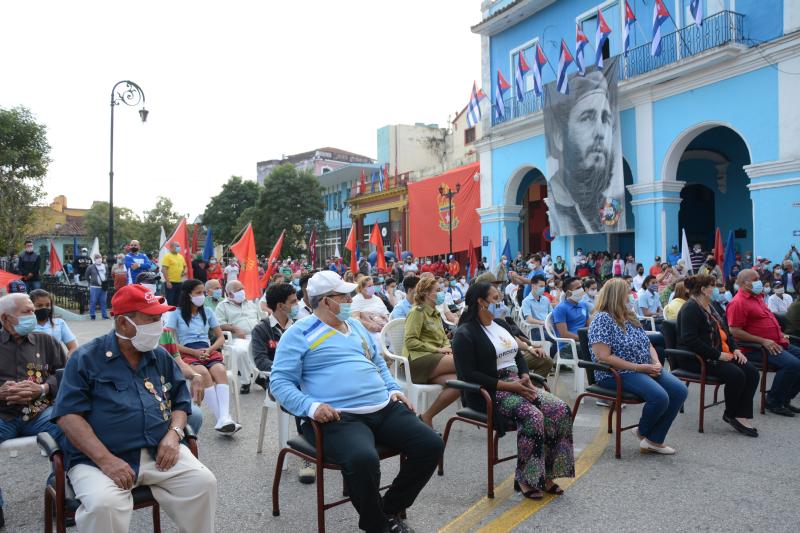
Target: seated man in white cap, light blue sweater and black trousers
pixel 327 367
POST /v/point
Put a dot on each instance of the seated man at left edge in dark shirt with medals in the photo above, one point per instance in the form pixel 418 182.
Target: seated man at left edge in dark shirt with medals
pixel 28 362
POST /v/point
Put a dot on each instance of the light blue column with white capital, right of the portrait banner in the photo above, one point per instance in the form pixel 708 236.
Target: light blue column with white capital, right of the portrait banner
pixel 655 207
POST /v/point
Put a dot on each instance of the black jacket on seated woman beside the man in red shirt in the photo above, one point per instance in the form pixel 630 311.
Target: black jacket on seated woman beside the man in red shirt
pixel 698 333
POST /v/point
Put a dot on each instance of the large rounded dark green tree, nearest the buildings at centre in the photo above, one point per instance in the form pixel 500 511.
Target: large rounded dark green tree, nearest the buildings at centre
pixel 291 201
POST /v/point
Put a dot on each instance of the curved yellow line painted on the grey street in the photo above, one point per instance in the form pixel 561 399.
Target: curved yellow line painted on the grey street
pixel 527 508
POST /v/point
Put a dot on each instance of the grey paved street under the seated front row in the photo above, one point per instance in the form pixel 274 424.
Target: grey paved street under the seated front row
pixel 718 481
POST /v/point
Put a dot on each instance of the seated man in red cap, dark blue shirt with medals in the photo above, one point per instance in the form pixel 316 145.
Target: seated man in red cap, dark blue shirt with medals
pixel 123 405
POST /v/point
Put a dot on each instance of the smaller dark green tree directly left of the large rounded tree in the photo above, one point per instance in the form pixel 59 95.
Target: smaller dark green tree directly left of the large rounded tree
pixel 224 209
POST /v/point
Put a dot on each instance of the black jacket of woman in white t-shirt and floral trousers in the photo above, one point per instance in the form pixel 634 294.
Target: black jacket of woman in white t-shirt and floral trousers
pixel 476 362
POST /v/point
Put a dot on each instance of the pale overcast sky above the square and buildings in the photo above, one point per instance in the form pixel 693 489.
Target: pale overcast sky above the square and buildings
pixel 227 84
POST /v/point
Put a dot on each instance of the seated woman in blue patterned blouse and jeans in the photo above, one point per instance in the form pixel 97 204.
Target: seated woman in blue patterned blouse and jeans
pixel 618 339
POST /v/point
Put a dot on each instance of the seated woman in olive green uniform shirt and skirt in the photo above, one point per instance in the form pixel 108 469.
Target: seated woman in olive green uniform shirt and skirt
pixel 427 347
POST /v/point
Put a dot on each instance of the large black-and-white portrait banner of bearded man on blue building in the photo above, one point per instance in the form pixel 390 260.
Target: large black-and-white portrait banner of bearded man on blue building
pixel 586 188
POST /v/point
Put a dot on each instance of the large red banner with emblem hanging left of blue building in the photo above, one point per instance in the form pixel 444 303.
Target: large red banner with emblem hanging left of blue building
pixel 429 211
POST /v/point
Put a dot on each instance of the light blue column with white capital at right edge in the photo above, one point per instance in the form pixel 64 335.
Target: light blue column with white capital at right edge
pixel 775 192
